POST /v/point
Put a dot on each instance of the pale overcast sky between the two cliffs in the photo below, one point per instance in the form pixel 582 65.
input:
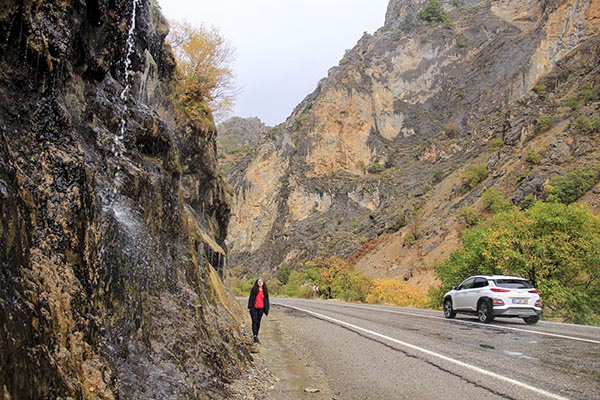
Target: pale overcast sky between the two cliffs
pixel 283 48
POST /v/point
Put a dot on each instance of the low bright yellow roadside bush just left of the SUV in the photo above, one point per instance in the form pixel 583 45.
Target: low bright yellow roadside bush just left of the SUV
pixel 395 292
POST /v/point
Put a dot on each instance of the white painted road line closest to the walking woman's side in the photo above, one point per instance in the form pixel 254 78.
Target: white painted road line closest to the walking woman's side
pixel 433 354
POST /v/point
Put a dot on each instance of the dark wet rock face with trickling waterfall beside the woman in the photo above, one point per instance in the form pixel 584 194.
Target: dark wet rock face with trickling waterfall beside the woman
pixel 106 290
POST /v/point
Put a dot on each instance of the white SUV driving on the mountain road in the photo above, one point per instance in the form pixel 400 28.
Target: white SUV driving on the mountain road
pixel 490 296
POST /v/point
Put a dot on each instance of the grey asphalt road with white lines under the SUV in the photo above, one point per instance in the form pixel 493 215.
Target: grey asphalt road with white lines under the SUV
pixel 381 352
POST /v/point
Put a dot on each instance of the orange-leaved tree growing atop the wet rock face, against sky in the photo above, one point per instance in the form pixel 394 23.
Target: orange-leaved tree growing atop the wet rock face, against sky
pixel 205 81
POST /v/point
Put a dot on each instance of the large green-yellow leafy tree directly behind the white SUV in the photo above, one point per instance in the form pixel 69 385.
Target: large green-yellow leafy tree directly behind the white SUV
pixel 556 246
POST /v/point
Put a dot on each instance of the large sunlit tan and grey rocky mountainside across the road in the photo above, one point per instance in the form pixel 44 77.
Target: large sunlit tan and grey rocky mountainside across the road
pixel 372 164
